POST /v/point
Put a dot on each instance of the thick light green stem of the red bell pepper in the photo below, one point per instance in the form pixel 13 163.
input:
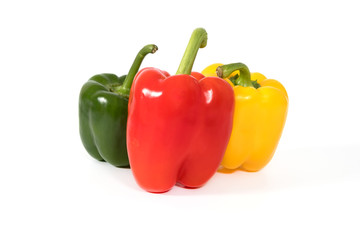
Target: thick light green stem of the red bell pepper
pixel 198 40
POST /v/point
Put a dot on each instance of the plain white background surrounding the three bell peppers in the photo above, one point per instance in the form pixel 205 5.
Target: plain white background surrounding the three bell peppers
pixel 52 189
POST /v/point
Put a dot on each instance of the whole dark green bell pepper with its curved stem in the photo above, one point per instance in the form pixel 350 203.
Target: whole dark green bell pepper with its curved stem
pixel 103 108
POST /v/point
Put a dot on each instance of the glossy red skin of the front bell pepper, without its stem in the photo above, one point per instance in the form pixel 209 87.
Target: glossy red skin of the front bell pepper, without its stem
pixel 178 128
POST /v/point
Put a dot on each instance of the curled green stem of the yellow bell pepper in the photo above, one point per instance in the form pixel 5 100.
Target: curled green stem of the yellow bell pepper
pixel 244 79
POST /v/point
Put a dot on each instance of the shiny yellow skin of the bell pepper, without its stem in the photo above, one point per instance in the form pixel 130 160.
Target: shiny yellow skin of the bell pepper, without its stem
pixel 259 119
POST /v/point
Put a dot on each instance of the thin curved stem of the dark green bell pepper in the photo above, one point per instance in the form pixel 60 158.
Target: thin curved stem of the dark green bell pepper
pixel 124 89
